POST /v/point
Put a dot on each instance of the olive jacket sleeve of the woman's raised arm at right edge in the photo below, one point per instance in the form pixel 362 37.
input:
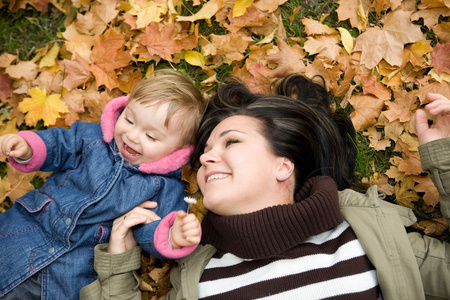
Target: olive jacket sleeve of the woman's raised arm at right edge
pixel 432 255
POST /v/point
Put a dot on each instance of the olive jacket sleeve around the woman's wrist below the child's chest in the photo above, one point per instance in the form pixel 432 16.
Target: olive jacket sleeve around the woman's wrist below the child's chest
pixel 116 278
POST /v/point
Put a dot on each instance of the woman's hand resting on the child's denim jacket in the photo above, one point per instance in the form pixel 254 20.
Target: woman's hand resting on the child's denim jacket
pixel 122 238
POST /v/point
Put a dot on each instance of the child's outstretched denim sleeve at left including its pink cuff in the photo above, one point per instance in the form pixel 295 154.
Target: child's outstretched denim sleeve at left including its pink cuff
pixel 58 148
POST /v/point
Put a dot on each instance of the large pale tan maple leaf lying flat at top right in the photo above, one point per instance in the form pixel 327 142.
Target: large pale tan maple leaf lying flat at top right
pixel 388 43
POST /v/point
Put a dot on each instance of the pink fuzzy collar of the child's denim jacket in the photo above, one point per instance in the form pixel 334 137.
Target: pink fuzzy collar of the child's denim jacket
pixel 167 164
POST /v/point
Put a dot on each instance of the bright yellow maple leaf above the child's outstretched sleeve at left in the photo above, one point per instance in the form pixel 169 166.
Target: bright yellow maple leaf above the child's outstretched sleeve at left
pixel 41 106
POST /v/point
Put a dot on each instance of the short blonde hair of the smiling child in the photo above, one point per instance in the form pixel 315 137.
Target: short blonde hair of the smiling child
pixel 169 86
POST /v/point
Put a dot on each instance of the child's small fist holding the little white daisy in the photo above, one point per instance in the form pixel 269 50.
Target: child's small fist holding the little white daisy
pixel 186 230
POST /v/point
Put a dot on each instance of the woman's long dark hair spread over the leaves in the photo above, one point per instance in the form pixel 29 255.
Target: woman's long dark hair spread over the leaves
pixel 298 123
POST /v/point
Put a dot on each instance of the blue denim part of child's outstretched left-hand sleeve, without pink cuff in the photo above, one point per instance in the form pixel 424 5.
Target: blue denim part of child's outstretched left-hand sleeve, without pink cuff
pixel 65 146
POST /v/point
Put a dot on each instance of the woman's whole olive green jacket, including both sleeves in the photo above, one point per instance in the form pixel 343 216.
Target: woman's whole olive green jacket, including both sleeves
pixel 408 265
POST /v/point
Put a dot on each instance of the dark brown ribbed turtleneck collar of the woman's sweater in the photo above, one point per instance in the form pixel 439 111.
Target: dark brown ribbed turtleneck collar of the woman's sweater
pixel 274 230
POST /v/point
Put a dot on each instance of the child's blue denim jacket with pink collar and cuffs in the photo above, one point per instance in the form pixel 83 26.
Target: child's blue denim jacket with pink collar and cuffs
pixel 55 228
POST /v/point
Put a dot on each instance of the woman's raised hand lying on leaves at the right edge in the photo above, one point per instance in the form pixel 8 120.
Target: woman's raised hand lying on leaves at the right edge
pixel 439 106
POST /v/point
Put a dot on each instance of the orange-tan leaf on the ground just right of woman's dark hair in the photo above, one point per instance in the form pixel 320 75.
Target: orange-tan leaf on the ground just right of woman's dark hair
pixel 367 108
